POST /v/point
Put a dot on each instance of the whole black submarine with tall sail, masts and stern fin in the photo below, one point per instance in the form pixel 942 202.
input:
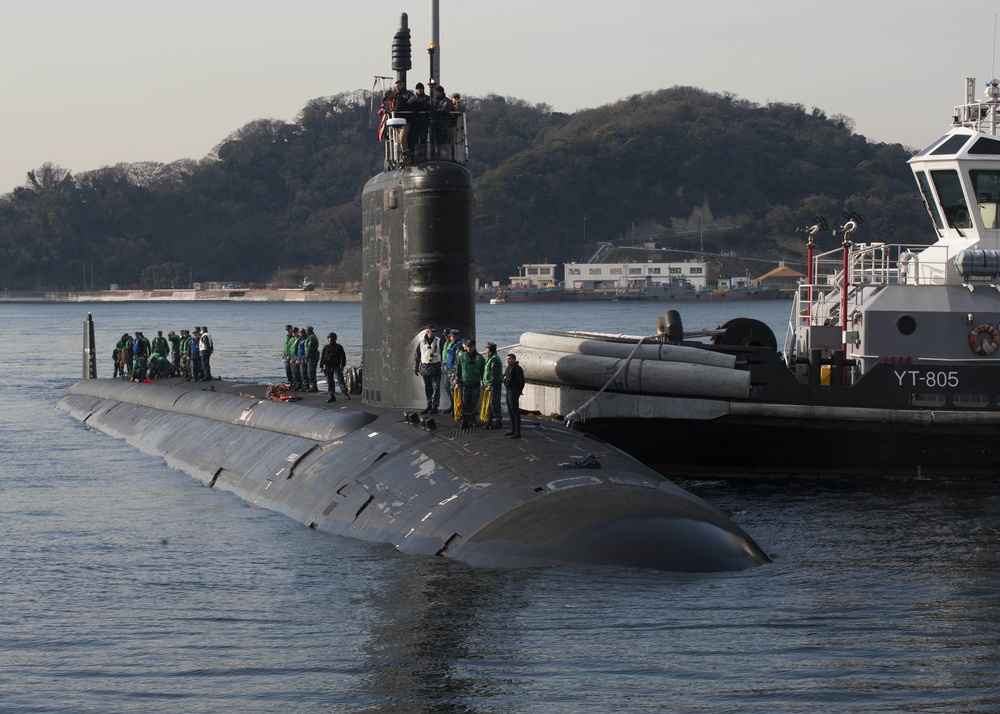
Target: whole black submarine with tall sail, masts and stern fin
pixel 373 469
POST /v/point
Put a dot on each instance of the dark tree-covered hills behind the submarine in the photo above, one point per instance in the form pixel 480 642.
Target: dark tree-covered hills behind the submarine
pixel 284 197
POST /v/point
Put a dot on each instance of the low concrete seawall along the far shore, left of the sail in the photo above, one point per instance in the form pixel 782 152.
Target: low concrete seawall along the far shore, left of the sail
pixel 181 296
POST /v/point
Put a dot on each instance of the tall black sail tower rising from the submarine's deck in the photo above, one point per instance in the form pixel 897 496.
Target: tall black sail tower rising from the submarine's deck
pixel 417 270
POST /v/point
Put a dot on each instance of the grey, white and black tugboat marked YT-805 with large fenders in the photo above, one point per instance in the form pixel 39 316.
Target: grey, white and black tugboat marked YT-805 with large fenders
pixel 890 365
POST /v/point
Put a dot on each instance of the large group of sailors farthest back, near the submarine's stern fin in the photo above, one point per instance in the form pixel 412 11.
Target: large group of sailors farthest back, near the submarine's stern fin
pixel 188 354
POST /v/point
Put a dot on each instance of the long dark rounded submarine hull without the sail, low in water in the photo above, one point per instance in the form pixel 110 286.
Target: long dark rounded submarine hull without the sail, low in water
pixel 469 495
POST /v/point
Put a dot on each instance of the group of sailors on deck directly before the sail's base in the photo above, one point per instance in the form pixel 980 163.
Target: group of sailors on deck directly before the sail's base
pixel 472 382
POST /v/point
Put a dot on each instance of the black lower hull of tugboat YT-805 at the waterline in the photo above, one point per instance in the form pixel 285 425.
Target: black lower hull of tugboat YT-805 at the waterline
pixel 754 447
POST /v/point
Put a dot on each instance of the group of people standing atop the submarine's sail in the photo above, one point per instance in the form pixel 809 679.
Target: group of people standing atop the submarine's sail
pixel 431 119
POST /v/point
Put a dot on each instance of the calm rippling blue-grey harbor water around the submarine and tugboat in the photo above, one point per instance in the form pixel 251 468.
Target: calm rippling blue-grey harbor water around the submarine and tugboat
pixel 127 586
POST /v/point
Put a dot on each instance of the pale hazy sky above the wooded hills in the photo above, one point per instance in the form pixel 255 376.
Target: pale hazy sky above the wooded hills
pixel 91 83
